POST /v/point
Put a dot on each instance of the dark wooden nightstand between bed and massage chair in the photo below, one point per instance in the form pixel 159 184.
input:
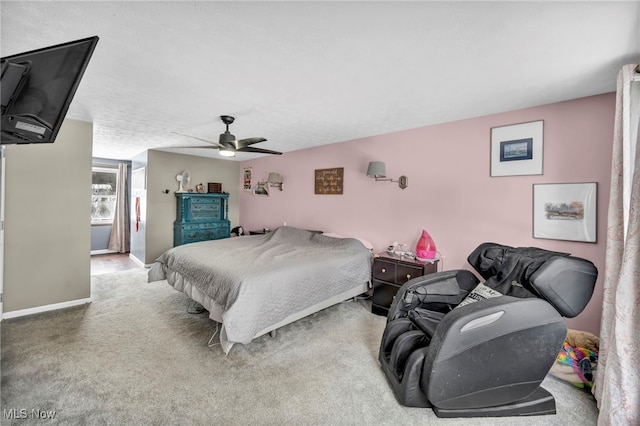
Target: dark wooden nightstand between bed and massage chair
pixel 389 272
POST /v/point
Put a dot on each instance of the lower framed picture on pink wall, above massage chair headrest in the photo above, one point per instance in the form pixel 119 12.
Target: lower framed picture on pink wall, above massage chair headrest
pixel 565 211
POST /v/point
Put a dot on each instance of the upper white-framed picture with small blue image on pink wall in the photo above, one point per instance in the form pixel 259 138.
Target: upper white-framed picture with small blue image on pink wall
pixel 517 149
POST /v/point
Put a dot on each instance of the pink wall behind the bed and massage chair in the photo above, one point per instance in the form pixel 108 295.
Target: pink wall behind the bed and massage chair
pixel 450 192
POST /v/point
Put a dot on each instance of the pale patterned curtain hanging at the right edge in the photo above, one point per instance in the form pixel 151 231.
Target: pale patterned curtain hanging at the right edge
pixel 617 382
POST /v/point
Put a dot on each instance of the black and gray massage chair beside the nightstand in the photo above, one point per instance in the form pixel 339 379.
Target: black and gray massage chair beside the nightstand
pixel 488 358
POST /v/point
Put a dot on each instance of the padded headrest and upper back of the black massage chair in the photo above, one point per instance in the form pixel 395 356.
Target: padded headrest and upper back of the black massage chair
pixel 566 282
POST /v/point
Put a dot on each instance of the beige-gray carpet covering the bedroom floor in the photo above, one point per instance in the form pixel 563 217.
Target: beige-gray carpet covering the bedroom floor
pixel 135 356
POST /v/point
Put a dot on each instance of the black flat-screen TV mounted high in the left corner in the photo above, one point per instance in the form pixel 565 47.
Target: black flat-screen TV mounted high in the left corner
pixel 37 88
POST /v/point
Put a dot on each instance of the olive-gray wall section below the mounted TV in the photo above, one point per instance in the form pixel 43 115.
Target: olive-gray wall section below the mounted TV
pixel 48 220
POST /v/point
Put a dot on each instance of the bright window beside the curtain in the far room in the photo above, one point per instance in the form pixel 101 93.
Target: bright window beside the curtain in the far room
pixel 103 195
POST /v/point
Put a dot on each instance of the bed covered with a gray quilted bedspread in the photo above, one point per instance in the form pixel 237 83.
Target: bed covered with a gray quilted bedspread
pixel 255 284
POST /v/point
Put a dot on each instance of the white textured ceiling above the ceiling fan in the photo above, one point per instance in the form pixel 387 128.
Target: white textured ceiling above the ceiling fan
pixel 303 74
